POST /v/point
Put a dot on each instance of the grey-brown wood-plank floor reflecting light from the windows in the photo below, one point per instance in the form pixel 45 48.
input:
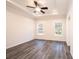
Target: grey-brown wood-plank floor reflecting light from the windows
pixel 39 49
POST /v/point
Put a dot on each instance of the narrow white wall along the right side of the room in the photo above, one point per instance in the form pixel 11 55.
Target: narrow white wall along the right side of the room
pixel 69 29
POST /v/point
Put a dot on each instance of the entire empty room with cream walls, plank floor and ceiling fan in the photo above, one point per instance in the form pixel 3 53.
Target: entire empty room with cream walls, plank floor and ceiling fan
pixel 39 29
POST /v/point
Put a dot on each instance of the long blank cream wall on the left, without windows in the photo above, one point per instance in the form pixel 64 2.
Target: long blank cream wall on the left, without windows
pixel 19 28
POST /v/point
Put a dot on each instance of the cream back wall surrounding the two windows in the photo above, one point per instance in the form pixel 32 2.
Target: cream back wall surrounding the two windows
pixel 48 23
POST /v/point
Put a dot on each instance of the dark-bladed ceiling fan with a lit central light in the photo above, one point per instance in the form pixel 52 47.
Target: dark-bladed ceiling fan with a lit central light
pixel 38 7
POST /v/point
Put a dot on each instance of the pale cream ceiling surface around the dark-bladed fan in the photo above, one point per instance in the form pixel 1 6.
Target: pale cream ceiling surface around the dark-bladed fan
pixel 61 6
